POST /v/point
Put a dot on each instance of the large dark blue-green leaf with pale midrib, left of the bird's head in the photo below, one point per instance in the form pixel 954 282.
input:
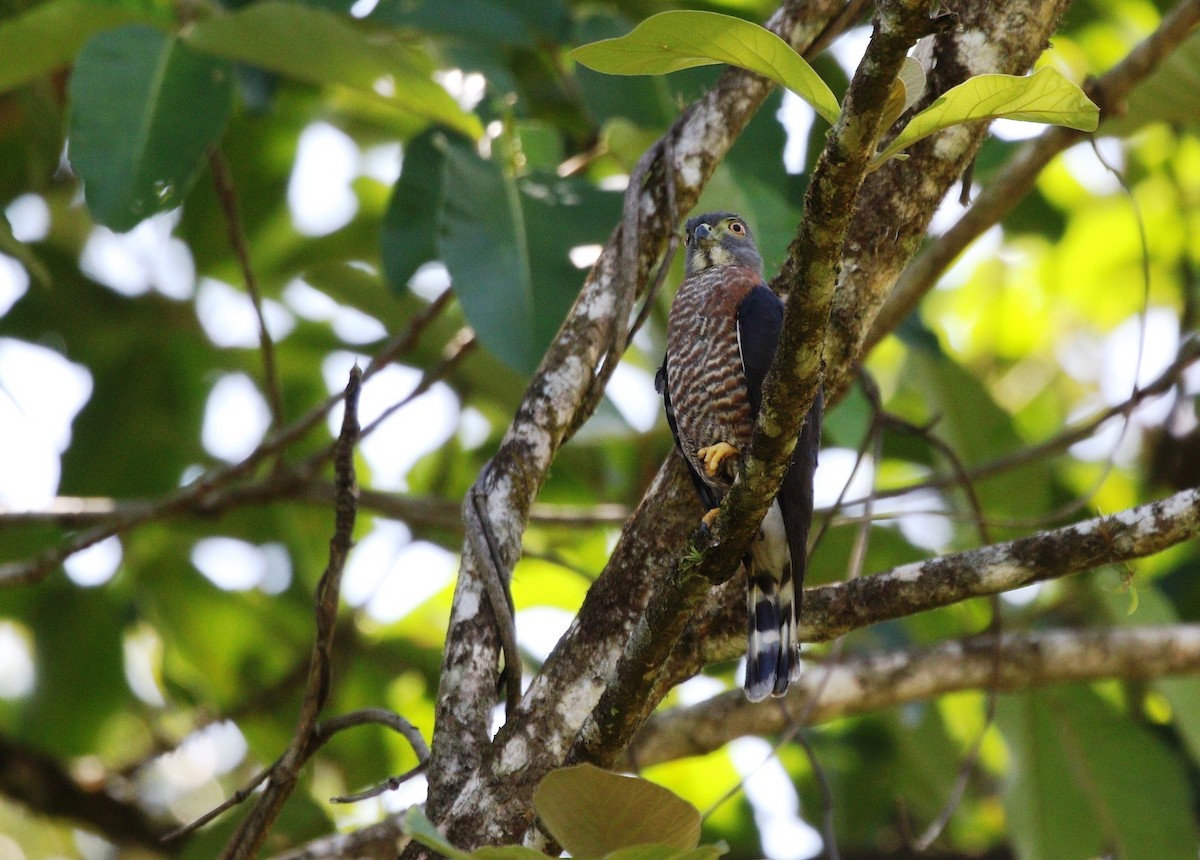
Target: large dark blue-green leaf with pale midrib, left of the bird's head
pixel 507 244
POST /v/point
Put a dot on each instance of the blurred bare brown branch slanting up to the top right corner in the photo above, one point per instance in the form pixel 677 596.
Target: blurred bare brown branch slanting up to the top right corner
pixel 1009 189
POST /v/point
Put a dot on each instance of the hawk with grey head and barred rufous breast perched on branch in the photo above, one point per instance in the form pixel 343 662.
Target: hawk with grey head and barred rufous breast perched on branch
pixel 722 338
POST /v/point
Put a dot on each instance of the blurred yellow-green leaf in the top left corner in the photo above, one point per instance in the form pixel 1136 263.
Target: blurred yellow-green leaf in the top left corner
pixel 50 37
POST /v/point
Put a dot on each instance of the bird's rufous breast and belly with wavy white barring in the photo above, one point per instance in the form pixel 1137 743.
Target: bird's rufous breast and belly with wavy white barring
pixel 709 387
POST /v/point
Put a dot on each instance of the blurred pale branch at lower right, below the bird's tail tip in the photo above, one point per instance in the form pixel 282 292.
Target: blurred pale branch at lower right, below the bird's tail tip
pixel 871 682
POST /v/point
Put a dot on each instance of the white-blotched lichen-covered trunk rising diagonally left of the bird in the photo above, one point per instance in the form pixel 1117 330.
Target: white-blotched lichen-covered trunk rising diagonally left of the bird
pixel 559 398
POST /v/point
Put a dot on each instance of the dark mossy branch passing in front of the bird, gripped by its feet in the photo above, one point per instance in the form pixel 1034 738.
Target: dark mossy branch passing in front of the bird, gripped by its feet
pixel 788 395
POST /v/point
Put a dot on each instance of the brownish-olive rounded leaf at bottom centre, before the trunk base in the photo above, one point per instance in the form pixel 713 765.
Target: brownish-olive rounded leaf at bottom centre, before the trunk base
pixel 593 813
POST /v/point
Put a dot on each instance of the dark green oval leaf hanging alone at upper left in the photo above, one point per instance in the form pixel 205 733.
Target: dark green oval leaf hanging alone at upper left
pixel 145 110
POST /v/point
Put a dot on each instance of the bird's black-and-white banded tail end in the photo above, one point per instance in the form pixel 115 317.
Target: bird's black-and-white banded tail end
pixel 773 657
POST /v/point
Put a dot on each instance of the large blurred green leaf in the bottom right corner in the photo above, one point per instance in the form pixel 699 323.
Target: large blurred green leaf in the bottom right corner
pixel 1089 781
